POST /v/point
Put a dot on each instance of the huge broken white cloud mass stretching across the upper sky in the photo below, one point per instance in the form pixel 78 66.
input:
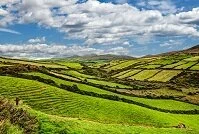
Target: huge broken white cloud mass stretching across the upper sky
pixel 105 23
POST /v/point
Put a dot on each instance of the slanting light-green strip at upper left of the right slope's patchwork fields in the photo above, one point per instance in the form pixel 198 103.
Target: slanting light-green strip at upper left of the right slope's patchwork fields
pixel 123 65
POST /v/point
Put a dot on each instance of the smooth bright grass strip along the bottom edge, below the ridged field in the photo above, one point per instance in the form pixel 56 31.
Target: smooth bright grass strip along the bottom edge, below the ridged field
pixel 57 124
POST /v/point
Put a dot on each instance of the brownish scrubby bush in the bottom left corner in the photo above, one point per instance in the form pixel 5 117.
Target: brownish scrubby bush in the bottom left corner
pixel 18 117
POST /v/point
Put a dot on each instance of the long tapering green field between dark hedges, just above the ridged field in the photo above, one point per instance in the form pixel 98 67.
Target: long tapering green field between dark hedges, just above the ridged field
pixel 83 87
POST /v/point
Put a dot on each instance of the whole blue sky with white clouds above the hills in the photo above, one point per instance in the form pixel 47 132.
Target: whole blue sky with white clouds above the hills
pixel 51 28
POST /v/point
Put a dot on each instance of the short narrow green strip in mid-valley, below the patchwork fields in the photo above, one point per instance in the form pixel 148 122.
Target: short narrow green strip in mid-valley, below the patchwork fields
pixel 110 84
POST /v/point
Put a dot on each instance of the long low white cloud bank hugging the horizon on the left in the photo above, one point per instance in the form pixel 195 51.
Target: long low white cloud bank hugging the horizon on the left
pixel 48 51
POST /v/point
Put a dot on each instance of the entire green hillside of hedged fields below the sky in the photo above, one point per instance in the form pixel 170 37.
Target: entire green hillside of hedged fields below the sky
pixel 104 94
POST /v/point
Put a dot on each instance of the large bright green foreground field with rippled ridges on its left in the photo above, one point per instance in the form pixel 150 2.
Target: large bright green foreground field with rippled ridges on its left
pixel 52 100
